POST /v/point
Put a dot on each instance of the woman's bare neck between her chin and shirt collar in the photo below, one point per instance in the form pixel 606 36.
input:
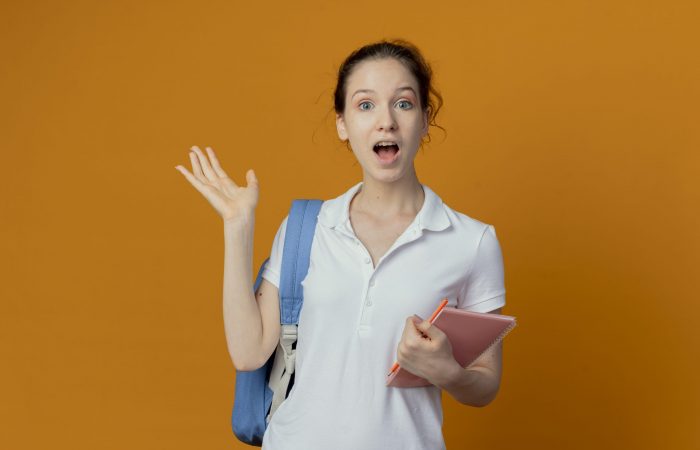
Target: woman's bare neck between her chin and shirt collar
pixel 403 197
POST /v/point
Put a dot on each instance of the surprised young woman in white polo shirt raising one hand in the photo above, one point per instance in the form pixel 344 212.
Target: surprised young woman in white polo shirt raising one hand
pixel 384 251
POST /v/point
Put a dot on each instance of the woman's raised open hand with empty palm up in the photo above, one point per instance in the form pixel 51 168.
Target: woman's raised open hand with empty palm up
pixel 230 200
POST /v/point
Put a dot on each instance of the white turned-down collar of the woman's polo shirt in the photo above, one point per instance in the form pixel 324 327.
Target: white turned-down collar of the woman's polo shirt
pixel 432 215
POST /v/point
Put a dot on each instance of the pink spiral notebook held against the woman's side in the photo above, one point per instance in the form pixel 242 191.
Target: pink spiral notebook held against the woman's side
pixel 470 334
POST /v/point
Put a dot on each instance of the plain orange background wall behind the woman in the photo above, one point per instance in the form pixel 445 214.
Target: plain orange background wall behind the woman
pixel 572 127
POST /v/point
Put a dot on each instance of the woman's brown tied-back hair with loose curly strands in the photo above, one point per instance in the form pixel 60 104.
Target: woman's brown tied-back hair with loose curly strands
pixel 407 54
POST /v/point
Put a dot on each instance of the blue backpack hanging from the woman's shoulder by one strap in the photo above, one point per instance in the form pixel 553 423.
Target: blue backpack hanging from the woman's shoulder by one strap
pixel 260 392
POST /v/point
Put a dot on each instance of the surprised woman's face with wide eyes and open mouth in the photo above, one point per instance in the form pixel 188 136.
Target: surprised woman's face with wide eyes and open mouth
pixel 381 104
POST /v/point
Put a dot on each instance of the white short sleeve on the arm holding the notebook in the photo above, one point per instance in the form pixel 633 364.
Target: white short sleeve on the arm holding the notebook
pixel 484 289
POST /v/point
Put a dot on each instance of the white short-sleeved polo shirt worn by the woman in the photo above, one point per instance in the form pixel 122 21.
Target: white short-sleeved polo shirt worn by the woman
pixel 353 317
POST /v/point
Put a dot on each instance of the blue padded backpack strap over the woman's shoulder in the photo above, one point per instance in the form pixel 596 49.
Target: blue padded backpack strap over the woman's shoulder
pixel 299 235
